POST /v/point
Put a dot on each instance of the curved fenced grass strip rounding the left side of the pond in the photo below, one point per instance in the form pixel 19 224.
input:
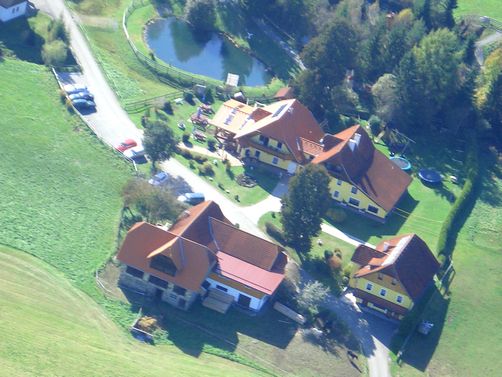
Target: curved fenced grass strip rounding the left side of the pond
pixel 167 74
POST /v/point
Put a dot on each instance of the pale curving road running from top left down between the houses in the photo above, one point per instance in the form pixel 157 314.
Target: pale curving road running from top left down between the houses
pixel 112 124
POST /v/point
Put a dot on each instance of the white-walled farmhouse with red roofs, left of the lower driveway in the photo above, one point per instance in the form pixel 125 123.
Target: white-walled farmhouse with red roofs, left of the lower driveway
pixel 201 255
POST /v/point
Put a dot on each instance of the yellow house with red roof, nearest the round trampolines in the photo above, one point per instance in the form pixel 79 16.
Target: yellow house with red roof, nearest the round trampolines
pixel 363 178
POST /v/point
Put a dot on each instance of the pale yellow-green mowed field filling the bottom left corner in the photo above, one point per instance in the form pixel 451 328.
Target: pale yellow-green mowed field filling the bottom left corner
pixel 50 328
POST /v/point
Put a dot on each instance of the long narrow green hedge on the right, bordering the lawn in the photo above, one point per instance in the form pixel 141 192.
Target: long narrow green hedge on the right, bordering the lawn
pixel 448 227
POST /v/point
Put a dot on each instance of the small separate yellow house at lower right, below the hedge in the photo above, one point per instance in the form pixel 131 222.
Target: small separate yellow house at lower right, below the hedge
pixel 392 277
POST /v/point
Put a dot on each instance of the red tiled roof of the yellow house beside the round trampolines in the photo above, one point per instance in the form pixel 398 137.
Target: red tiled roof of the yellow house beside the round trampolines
pixel 365 167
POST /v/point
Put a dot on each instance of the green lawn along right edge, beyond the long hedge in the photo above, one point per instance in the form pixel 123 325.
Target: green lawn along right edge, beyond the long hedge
pixel 466 340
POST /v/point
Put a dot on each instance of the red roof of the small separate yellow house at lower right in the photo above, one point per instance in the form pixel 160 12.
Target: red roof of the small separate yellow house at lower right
pixel 407 258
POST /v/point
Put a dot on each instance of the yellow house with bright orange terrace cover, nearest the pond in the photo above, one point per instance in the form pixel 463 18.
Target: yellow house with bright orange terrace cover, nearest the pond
pixel 275 134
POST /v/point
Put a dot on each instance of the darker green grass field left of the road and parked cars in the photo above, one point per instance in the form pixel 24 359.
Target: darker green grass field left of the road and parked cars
pixel 60 185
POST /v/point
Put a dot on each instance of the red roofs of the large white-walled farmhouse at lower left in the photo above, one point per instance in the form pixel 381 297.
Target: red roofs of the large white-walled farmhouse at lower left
pixel 196 240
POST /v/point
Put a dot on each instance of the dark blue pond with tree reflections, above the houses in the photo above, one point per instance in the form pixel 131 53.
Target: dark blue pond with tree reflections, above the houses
pixel 176 43
